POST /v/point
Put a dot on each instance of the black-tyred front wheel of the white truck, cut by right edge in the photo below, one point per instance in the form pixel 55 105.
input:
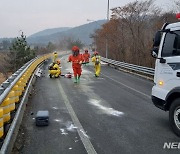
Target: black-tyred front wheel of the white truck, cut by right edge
pixel 174 116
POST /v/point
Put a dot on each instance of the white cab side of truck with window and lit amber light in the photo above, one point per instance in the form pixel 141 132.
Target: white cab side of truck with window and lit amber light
pixel 168 64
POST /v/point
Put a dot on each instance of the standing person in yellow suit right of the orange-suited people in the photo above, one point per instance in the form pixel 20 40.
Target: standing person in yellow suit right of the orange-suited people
pixel 96 59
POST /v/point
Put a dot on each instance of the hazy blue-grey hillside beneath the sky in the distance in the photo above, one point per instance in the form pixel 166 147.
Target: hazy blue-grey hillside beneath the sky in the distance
pixel 81 32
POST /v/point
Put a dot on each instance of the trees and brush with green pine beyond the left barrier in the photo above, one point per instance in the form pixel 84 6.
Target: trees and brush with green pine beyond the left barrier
pixel 17 52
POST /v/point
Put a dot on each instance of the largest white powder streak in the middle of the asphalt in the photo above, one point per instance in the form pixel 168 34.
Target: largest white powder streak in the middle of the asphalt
pixel 104 109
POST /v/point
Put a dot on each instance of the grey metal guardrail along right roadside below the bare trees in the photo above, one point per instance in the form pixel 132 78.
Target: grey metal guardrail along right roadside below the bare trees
pixel 131 67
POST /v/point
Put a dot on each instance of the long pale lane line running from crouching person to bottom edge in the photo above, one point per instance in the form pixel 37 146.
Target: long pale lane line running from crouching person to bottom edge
pixel 85 140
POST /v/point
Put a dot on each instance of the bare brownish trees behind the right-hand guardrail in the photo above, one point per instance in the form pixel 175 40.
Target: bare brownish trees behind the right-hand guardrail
pixel 130 31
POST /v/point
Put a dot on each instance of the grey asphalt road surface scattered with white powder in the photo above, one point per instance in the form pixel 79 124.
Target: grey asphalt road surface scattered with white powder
pixel 112 114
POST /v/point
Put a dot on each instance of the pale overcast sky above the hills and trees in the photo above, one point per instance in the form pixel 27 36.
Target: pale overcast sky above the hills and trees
pixel 31 16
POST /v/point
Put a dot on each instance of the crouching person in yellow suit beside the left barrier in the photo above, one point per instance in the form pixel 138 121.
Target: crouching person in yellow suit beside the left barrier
pixel 54 69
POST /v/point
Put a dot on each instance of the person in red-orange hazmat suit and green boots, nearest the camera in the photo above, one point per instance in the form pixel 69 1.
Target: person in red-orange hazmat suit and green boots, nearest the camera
pixel 77 59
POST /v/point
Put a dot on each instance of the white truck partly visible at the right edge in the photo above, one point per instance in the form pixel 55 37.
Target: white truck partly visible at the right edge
pixel 166 89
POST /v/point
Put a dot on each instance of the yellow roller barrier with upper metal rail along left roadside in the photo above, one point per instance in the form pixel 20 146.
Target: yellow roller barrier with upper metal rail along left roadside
pixel 13 89
